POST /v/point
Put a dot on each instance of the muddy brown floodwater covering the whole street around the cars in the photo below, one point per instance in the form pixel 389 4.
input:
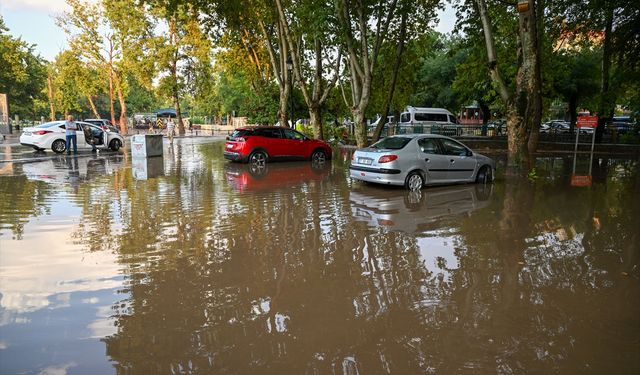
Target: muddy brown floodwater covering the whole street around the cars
pixel 190 264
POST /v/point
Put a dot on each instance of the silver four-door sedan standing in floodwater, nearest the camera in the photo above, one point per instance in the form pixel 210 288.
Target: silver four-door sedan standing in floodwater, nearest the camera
pixel 415 160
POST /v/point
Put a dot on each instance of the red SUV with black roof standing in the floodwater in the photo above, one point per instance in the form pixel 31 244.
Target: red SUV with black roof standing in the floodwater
pixel 262 143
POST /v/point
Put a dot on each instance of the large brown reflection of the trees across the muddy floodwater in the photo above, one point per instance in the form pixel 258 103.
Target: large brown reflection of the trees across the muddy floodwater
pixel 286 282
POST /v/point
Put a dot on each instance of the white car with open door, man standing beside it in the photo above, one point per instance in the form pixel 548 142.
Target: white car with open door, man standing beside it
pixel 51 135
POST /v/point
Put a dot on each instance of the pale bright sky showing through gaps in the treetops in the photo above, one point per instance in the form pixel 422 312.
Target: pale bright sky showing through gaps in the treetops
pixel 34 22
